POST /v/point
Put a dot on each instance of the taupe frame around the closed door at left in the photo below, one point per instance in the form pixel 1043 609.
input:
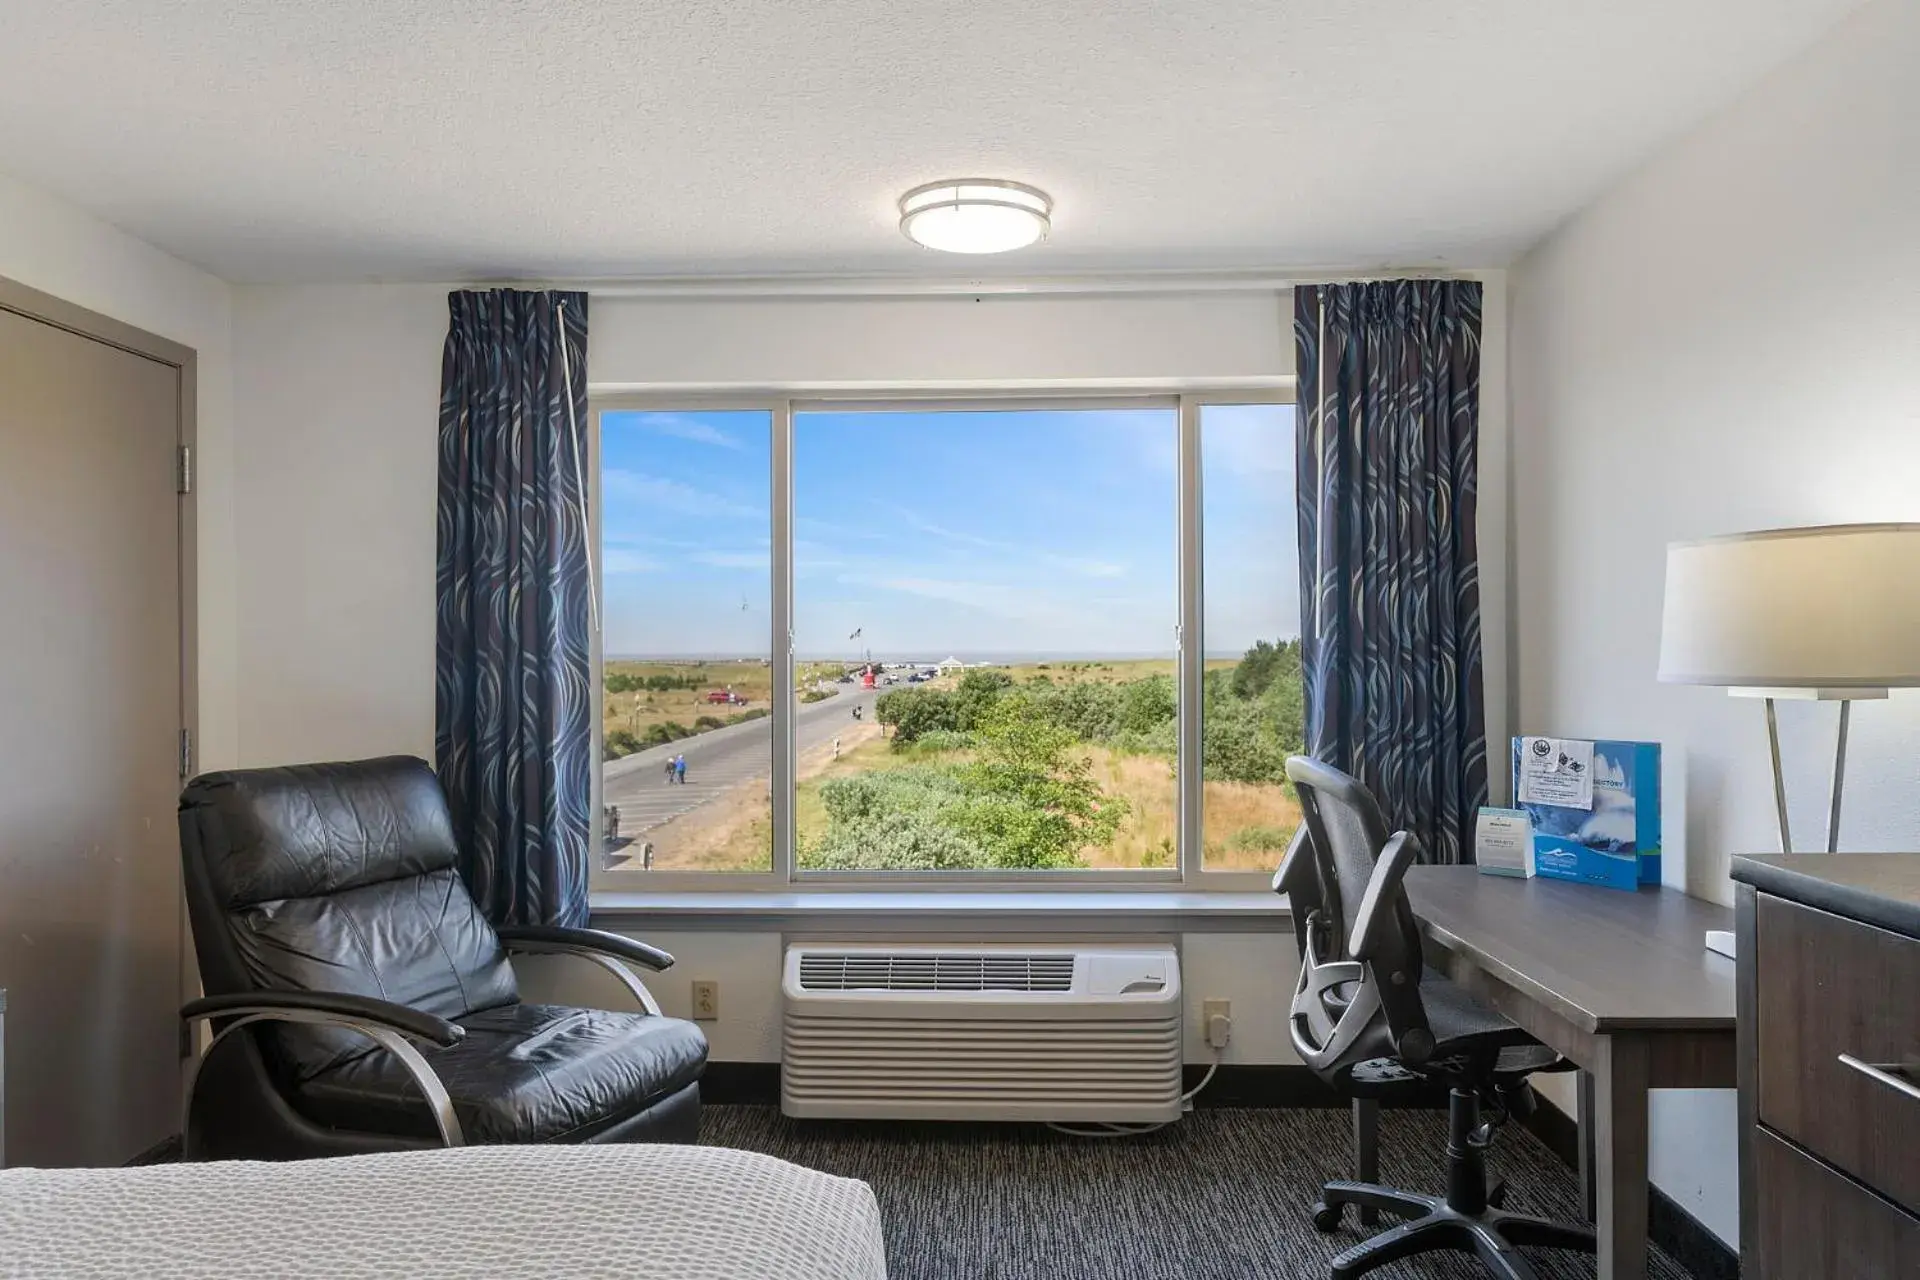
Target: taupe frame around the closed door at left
pixel 60 314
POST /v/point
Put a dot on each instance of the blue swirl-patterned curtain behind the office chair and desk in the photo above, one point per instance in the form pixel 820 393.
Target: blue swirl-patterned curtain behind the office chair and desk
pixel 1389 563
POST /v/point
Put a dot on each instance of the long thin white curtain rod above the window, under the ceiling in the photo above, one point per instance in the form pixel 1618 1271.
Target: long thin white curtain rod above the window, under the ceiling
pixel 961 287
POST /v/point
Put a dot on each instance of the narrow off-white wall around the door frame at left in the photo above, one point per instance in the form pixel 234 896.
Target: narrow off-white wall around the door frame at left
pixel 60 250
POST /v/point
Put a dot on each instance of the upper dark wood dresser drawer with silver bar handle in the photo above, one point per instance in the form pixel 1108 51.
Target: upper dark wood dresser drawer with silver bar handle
pixel 1838 1043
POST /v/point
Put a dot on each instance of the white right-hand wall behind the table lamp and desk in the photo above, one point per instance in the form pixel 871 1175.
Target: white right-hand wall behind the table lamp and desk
pixel 1729 341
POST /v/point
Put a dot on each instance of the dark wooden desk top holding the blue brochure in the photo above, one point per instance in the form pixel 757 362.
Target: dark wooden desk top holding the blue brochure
pixel 1604 959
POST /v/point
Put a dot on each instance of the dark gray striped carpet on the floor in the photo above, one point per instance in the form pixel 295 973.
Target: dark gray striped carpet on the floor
pixel 1220 1197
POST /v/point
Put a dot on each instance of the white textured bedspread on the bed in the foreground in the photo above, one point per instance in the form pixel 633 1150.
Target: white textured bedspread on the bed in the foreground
pixel 633 1212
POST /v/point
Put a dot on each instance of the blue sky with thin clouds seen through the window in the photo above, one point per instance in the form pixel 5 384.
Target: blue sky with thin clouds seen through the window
pixel 944 533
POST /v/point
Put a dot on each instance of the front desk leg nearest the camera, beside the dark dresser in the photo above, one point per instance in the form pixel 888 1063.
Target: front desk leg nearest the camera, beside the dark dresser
pixel 1621 1078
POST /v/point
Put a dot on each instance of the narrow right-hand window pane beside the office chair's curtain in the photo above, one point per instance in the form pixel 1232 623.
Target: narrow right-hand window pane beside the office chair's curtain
pixel 1253 711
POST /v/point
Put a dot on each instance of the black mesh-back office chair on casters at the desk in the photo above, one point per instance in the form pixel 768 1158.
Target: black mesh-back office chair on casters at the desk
pixel 1374 1022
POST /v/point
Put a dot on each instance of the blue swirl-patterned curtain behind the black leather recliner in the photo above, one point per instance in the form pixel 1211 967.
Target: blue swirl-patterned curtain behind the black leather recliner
pixel 512 671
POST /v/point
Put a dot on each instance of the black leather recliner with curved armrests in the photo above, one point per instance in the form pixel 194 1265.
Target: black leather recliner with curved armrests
pixel 364 1005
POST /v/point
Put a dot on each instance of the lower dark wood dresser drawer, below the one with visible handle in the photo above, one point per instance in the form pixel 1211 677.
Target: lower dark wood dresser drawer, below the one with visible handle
pixel 1819 1225
